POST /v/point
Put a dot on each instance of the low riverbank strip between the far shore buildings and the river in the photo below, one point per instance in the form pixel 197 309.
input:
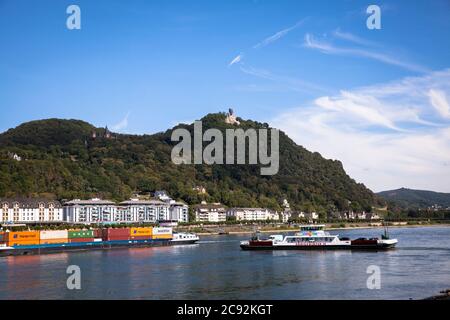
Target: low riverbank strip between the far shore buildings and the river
pixel 249 229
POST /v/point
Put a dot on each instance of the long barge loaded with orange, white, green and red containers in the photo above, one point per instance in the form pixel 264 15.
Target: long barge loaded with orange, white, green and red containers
pixel 55 241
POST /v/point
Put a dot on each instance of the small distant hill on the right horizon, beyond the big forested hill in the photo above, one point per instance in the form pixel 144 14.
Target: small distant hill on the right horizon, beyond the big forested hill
pixel 408 198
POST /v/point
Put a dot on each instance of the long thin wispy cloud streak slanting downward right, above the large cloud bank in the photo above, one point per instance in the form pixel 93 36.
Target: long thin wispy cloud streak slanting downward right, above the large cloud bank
pixel 328 48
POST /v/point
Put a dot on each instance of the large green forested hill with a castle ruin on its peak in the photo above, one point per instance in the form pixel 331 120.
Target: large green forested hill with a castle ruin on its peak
pixel 61 159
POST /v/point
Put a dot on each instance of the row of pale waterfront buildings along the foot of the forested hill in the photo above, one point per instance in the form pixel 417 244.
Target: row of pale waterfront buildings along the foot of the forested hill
pixel 136 210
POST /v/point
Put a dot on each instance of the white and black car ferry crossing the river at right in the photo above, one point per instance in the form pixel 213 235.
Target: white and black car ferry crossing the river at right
pixel 314 237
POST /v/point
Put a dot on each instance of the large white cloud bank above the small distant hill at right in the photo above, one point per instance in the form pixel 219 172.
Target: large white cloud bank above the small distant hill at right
pixel 387 136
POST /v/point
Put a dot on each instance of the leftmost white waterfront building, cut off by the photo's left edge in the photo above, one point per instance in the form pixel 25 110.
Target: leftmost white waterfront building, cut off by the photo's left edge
pixel 30 210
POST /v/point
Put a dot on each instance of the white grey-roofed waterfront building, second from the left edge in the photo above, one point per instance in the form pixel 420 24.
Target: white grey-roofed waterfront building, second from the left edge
pixel 89 211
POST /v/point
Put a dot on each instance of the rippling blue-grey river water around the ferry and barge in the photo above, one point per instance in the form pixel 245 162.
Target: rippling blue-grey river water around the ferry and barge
pixel 216 268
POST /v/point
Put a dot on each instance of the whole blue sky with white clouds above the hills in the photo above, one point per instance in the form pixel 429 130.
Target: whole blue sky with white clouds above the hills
pixel 312 68
